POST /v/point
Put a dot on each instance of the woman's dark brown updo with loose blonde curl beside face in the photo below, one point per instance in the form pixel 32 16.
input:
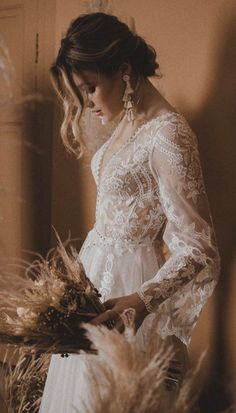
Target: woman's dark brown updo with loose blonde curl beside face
pixel 101 43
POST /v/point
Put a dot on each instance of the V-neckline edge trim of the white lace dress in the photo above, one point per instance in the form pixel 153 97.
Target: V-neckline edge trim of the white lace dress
pixel 106 145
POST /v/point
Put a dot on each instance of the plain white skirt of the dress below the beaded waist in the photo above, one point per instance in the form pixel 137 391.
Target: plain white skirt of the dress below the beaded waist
pixel 116 271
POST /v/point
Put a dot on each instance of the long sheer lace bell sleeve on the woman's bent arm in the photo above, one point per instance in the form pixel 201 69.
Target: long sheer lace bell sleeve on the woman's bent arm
pixel 188 277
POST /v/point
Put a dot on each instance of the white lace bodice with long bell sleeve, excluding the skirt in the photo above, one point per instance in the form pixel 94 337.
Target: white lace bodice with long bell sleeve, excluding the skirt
pixel 153 185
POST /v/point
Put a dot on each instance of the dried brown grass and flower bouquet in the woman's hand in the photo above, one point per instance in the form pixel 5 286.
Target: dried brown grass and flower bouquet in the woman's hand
pixel 45 308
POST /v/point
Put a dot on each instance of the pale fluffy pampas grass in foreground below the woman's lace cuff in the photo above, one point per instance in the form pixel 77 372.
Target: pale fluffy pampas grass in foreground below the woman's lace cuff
pixel 124 379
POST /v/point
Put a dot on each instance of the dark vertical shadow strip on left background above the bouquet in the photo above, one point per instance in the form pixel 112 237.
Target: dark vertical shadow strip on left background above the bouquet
pixel 36 175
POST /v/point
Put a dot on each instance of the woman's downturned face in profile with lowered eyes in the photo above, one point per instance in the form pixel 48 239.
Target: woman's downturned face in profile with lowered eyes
pixel 104 93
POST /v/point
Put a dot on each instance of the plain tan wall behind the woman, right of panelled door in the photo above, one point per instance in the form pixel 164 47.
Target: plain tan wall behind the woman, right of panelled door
pixel 195 43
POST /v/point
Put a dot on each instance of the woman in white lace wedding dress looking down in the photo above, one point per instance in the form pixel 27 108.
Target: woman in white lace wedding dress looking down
pixel 149 188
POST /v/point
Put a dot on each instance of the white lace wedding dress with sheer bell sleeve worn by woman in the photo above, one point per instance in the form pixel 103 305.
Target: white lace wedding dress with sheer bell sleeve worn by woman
pixel 151 188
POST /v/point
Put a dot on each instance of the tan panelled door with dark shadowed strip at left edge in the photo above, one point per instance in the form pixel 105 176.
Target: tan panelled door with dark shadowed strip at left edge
pixel 25 126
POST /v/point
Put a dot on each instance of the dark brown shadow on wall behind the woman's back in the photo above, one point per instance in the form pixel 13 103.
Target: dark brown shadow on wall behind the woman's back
pixel 215 126
